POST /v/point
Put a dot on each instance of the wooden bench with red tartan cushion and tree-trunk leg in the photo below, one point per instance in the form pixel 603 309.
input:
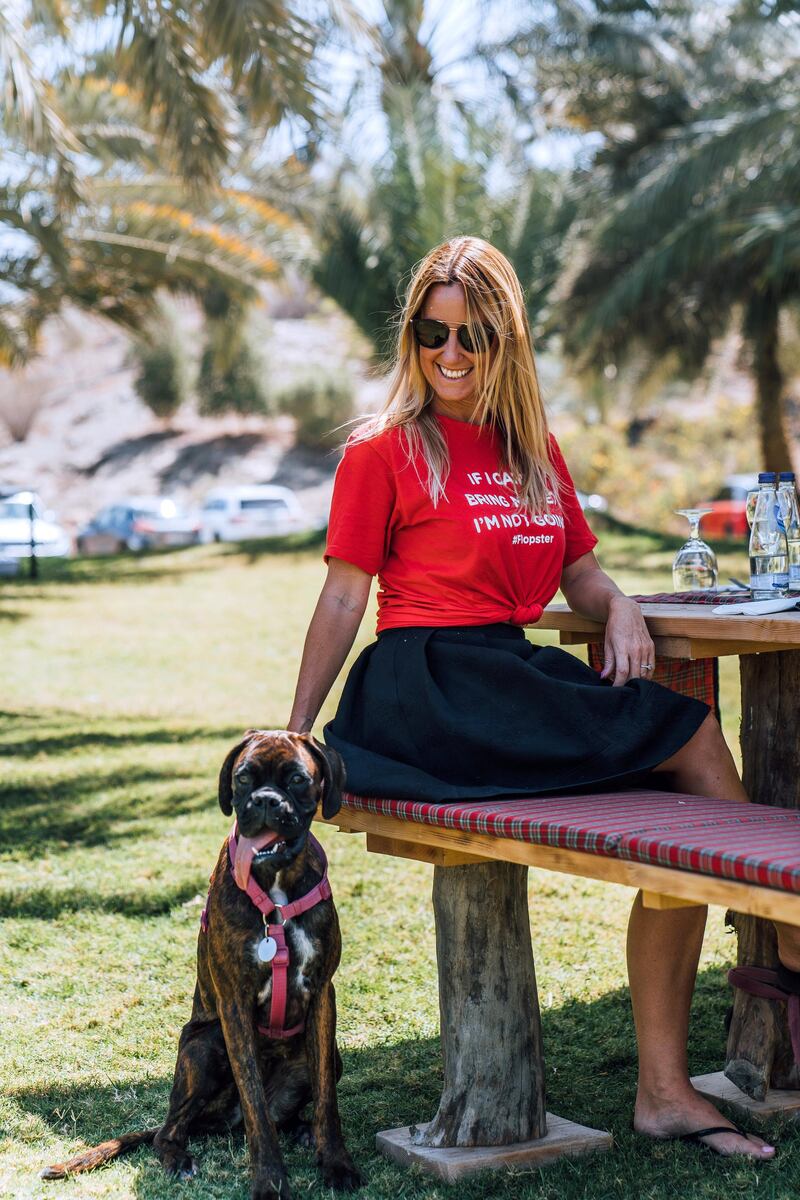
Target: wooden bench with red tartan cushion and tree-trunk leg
pixel 679 850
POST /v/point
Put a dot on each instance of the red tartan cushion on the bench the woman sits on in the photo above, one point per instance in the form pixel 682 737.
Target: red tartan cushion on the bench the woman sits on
pixel 750 843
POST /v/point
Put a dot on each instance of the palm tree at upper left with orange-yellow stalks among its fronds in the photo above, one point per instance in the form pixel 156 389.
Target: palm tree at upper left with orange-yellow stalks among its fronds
pixel 134 166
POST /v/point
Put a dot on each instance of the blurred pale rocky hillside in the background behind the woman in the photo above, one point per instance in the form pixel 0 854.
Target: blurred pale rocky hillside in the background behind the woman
pixel 85 440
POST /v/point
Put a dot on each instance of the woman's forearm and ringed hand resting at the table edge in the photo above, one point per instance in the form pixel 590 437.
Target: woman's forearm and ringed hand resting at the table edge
pixel 629 647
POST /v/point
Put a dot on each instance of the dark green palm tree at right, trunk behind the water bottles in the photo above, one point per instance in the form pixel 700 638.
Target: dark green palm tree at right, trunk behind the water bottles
pixel 697 189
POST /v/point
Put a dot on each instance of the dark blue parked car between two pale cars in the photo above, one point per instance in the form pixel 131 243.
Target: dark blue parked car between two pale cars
pixel 140 523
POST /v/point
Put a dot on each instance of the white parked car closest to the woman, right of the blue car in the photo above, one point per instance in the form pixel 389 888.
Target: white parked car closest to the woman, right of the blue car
pixel 264 511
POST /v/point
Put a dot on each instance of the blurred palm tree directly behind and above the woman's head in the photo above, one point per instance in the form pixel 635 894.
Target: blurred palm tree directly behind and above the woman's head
pixel 378 218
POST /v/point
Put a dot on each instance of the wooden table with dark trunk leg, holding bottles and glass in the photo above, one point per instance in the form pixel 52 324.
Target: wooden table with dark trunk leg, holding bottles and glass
pixel 759 1053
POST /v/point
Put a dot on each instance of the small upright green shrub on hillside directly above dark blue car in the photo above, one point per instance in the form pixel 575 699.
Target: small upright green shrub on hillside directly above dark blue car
pixel 163 374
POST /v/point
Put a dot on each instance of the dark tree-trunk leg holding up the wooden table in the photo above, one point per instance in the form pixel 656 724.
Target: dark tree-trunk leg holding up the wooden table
pixel 760 1053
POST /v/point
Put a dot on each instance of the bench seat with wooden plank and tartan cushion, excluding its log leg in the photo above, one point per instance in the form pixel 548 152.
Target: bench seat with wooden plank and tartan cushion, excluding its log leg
pixel 639 831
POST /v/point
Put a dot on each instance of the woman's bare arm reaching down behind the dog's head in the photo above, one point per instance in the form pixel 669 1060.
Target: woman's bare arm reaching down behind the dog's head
pixel 329 640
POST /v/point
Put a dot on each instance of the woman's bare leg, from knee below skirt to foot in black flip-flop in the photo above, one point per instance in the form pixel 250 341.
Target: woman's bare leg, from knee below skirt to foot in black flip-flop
pixel 664 949
